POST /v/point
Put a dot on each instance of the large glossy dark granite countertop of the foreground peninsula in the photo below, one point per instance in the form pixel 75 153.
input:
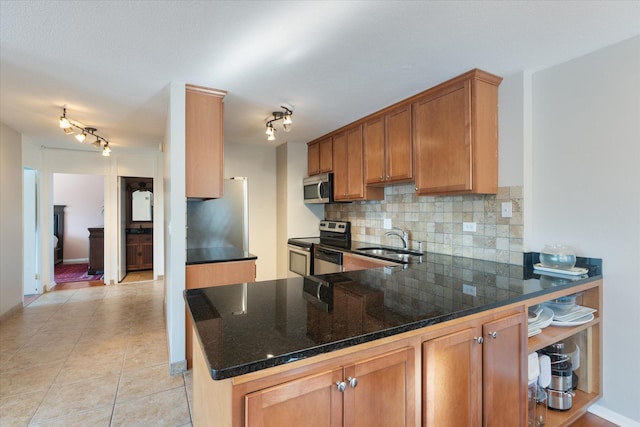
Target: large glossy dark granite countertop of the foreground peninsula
pixel 248 327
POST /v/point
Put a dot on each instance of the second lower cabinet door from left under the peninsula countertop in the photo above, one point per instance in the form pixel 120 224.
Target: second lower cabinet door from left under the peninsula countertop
pixel 385 391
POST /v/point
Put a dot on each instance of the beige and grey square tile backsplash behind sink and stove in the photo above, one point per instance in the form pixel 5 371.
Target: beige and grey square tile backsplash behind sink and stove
pixel 436 221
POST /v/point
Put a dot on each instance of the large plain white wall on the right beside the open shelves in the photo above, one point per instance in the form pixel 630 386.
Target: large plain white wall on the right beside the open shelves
pixel 586 192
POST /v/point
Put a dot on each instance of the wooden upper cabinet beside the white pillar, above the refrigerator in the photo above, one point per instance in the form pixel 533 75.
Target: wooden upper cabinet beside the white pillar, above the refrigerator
pixel 204 142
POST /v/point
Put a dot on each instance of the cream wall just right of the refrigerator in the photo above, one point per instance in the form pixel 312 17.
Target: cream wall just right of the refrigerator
pixel 258 164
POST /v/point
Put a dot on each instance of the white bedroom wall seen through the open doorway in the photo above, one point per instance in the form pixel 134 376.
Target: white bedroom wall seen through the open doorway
pixel 83 196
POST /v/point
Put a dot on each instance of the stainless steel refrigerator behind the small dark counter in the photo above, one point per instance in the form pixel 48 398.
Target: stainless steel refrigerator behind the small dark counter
pixel 220 222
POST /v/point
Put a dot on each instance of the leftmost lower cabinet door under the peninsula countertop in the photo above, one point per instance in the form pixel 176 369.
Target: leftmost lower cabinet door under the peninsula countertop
pixel 313 401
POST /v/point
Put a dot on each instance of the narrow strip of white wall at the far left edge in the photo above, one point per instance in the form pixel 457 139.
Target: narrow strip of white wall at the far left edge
pixel 11 243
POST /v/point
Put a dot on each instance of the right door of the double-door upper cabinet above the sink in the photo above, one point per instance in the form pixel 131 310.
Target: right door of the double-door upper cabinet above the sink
pixel 399 148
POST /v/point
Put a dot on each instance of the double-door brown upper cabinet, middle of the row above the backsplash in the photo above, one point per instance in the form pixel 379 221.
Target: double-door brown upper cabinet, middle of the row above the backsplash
pixel 388 148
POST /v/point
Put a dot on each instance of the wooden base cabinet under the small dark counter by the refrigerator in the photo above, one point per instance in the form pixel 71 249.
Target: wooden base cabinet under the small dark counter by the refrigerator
pixel 214 274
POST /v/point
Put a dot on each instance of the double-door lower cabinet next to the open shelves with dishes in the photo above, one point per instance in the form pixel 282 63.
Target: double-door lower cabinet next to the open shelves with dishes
pixel 476 375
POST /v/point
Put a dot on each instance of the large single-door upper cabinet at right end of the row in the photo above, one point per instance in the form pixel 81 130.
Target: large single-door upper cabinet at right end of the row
pixel 455 136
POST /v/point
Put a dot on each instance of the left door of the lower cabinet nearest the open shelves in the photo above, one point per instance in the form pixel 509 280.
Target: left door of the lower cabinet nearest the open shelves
pixel 452 380
